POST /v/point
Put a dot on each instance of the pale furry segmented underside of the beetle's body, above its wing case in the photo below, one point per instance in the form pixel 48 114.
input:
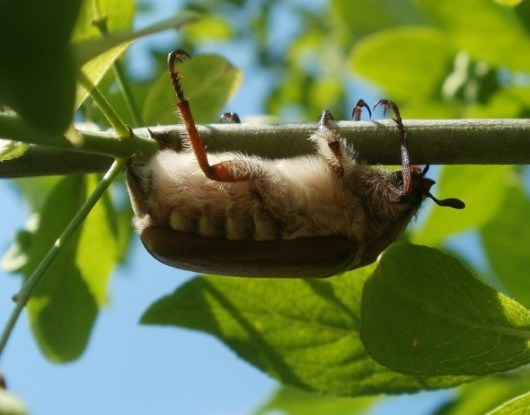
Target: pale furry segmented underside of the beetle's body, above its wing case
pixel 289 202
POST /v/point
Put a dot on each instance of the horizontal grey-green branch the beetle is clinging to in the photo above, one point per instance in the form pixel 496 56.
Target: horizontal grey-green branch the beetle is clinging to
pixel 502 141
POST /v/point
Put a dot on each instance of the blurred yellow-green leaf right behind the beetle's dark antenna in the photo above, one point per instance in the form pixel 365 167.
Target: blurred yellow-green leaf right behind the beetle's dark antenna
pixel 482 188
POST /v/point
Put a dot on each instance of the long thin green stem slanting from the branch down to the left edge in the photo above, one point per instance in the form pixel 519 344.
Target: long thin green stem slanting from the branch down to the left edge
pixel 25 293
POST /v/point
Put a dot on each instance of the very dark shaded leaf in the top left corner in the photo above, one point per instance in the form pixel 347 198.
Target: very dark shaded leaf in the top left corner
pixel 37 74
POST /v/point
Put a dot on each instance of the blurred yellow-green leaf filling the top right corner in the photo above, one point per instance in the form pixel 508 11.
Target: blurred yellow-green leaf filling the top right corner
pixel 490 35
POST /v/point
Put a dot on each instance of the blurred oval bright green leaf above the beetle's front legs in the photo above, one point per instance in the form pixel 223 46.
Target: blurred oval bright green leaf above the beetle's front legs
pixel 406 62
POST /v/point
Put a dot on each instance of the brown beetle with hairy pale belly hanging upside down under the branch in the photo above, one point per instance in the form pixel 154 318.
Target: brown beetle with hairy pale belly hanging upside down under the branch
pixel 242 215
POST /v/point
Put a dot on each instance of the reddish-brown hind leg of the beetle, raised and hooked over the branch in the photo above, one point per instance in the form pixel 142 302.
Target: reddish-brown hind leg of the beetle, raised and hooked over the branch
pixel 227 171
